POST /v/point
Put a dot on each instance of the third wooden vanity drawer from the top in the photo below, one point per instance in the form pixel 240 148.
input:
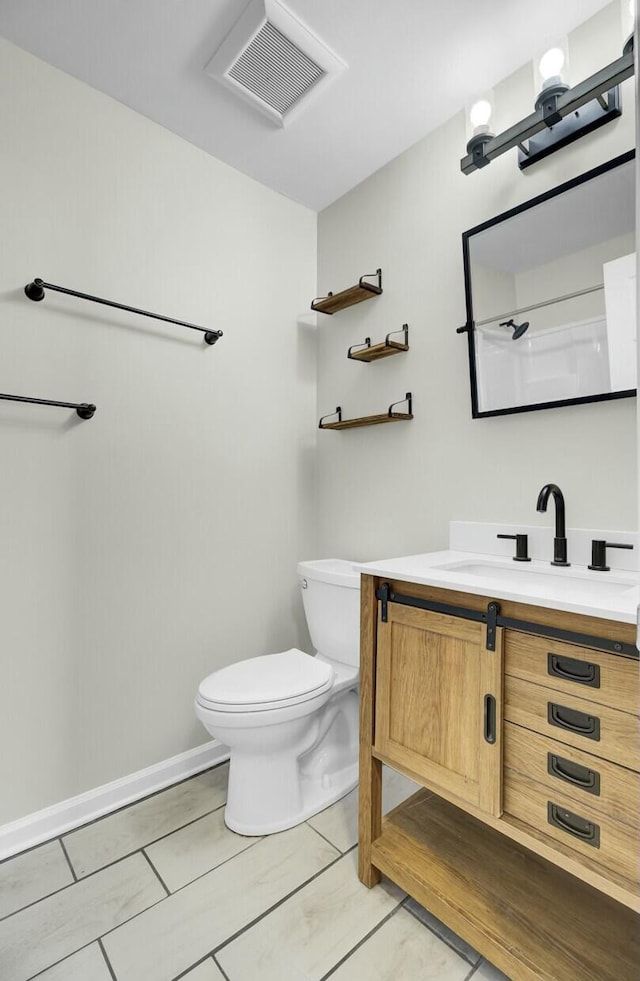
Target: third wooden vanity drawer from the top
pixel 612 791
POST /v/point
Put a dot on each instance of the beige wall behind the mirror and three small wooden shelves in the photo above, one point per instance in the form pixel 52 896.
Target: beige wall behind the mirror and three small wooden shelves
pixel 391 490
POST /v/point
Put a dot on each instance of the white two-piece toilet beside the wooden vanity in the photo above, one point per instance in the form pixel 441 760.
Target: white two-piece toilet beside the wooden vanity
pixel 291 720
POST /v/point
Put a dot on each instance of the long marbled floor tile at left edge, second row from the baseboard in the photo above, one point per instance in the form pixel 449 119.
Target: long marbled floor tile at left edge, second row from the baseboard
pixel 53 928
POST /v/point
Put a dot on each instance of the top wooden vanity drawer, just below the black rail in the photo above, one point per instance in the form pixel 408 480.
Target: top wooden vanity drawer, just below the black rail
pixel 593 675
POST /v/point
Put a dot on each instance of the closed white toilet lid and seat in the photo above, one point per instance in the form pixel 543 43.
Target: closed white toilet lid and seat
pixel 272 680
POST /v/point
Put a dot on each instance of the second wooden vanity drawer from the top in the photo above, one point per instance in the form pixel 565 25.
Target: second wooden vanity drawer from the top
pixel 596 729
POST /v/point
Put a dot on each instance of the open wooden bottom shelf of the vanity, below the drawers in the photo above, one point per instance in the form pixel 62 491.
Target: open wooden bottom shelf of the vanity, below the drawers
pixel 532 919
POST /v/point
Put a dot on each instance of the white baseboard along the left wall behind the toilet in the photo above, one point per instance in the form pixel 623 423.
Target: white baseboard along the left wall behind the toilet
pixel 53 821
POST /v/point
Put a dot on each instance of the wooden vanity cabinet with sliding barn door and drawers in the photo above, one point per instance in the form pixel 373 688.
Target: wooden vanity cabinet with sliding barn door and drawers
pixel 524 840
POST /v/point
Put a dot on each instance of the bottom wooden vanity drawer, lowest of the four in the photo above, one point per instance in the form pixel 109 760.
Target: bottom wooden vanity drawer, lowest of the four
pixel 581 828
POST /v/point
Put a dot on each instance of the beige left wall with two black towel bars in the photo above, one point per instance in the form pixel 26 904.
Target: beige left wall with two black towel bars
pixel 146 547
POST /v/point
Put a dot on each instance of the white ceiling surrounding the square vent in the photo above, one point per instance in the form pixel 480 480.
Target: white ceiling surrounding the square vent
pixel 412 65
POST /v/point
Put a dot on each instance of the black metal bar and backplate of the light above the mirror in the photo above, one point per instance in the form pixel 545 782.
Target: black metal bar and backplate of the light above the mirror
pixel 592 89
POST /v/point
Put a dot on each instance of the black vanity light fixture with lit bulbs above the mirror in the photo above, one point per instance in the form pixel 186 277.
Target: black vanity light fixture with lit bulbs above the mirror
pixel 562 114
